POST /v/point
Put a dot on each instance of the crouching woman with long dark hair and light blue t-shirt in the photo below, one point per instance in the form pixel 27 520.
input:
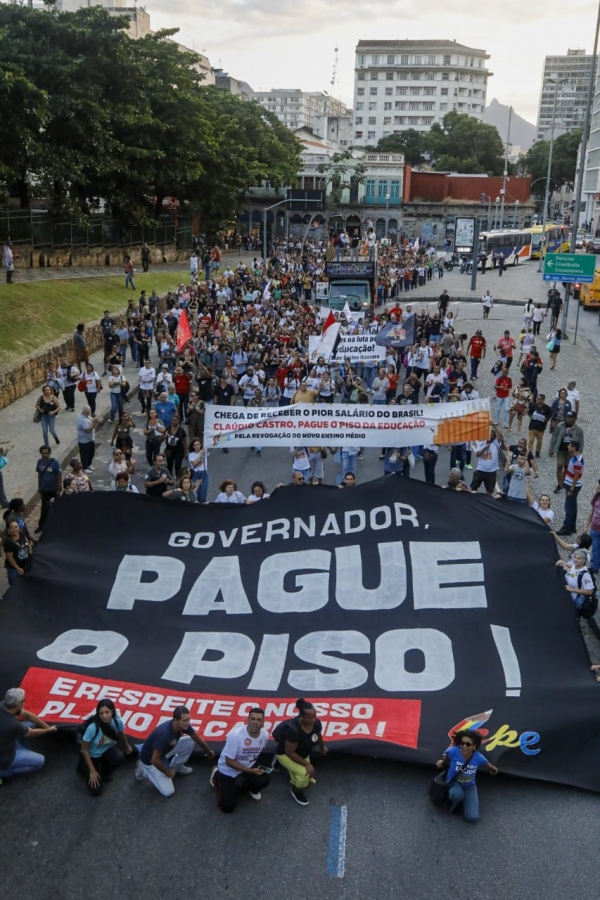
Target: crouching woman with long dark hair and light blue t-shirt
pixel 104 746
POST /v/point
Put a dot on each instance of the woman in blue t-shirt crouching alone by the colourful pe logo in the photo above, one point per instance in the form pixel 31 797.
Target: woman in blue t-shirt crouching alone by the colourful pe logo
pixel 463 760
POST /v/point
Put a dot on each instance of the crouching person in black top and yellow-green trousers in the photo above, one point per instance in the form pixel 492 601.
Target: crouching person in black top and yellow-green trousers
pixel 296 739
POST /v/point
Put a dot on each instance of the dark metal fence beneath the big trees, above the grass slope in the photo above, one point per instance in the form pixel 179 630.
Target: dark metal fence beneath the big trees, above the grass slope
pixel 38 229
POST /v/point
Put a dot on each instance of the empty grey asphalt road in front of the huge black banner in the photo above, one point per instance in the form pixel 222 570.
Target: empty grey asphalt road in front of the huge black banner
pixel 58 843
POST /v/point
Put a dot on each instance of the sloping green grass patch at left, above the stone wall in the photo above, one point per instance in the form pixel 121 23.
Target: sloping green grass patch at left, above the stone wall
pixel 44 312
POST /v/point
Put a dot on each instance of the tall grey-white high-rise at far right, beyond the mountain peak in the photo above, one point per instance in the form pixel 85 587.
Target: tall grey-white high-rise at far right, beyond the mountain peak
pixel 573 73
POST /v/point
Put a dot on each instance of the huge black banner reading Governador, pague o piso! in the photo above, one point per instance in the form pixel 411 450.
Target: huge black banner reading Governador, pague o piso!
pixel 403 611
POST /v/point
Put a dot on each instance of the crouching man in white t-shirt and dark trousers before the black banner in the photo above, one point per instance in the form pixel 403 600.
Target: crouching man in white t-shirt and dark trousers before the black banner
pixel 237 769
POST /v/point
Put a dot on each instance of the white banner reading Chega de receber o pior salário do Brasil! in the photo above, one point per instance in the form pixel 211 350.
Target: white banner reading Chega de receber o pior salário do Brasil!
pixel 339 424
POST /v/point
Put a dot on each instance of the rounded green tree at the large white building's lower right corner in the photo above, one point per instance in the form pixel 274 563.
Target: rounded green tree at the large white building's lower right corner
pixel 464 144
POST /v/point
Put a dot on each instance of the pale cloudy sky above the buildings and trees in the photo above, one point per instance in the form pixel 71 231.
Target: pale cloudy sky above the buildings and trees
pixel 291 44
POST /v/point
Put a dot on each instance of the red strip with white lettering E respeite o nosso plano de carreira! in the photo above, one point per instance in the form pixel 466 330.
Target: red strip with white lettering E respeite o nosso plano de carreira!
pixel 65 698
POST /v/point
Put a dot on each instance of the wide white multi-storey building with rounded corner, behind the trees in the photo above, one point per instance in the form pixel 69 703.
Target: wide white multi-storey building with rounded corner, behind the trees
pixel 412 84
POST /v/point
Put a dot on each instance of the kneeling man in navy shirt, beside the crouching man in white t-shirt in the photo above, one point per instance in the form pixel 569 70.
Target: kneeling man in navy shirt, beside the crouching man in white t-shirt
pixel 166 750
